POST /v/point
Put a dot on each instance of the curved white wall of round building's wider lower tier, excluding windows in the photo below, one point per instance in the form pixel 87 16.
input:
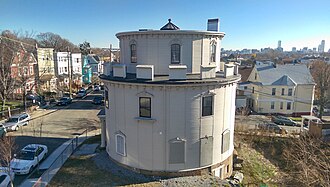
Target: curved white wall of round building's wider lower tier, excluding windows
pixel 176 111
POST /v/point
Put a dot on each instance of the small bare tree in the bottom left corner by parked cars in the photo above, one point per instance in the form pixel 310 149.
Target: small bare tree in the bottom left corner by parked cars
pixel 7 149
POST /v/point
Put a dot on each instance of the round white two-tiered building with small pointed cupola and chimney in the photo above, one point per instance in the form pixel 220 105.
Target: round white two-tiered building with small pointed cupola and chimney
pixel 170 104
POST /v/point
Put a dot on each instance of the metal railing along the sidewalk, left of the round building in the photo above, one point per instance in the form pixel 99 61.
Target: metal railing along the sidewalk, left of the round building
pixel 46 177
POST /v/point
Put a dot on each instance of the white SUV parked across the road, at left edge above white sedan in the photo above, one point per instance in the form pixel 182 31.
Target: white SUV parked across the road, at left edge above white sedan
pixel 15 122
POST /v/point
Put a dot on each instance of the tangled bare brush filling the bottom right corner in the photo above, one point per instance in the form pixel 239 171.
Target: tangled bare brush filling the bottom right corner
pixel 309 160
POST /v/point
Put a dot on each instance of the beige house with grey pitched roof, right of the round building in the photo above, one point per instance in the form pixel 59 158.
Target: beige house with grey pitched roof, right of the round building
pixel 280 89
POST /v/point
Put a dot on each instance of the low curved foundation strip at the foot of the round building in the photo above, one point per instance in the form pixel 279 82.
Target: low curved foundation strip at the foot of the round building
pixel 223 170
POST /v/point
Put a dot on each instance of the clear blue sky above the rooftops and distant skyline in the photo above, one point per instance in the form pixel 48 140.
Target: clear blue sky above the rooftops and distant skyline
pixel 247 23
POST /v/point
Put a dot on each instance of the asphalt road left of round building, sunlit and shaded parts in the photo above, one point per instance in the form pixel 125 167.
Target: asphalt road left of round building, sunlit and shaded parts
pixel 56 125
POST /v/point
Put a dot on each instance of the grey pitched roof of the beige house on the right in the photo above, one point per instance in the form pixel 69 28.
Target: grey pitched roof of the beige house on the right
pixel 289 74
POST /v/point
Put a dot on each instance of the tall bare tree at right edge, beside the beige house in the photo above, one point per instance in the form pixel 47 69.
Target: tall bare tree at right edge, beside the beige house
pixel 321 73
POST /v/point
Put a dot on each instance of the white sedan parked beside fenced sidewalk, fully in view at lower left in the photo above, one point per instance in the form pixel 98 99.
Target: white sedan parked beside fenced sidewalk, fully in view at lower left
pixel 28 158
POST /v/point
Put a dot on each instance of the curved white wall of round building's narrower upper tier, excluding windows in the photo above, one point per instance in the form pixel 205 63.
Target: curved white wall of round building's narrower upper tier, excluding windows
pixel 154 48
